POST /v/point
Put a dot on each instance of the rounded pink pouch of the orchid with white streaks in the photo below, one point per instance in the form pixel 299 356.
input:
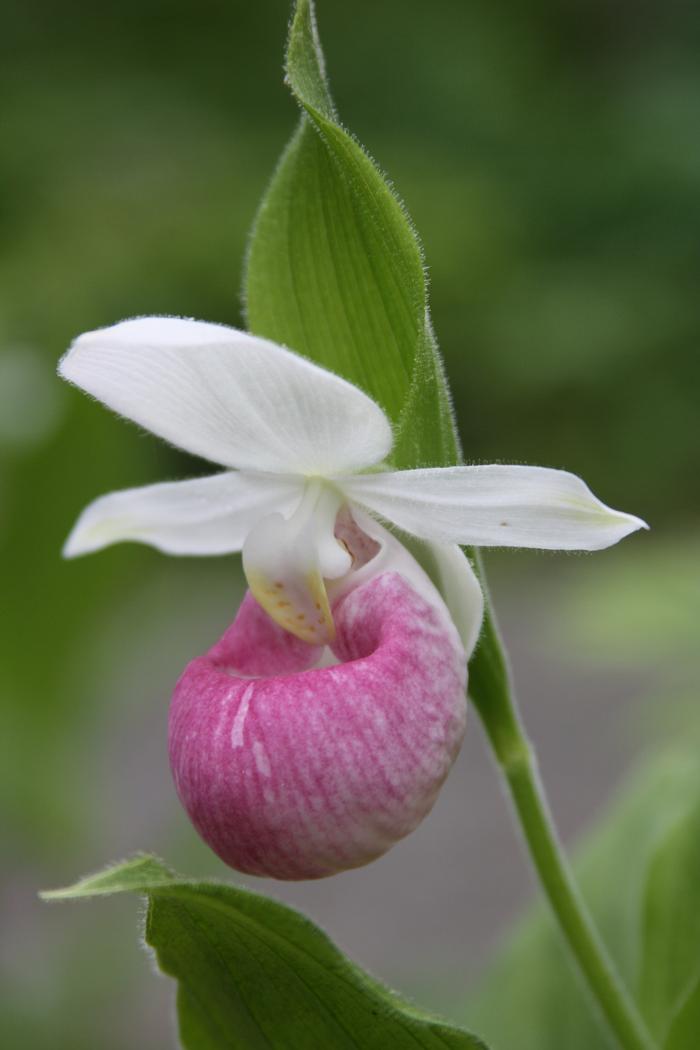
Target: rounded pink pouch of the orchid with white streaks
pixel 298 771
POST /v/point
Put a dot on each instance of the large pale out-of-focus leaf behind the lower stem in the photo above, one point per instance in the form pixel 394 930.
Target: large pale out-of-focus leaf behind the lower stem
pixel 548 1009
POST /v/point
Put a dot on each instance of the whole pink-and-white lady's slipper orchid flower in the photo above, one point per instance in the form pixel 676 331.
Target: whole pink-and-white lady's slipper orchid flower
pixel 320 729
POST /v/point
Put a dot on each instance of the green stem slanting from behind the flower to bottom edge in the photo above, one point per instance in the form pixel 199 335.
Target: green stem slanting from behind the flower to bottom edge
pixel 493 696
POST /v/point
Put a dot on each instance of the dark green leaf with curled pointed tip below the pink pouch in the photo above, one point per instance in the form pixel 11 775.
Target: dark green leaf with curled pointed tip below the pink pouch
pixel 253 974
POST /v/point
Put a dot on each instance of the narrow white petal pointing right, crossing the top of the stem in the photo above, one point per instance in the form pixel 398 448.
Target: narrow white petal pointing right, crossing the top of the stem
pixel 494 507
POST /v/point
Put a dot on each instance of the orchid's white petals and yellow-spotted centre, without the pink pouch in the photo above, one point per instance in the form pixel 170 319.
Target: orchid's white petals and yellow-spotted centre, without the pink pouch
pixel 303 444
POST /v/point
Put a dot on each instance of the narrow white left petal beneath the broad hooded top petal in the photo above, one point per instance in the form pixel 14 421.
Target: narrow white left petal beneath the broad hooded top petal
pixel 206 516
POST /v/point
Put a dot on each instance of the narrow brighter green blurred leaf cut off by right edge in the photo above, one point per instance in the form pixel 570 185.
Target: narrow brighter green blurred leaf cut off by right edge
pixel 671 961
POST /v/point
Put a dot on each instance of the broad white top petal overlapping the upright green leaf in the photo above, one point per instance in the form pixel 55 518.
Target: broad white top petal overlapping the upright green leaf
pixel 229 396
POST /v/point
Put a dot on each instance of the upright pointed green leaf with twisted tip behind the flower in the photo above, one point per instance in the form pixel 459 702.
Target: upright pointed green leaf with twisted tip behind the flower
pixel 335 269
